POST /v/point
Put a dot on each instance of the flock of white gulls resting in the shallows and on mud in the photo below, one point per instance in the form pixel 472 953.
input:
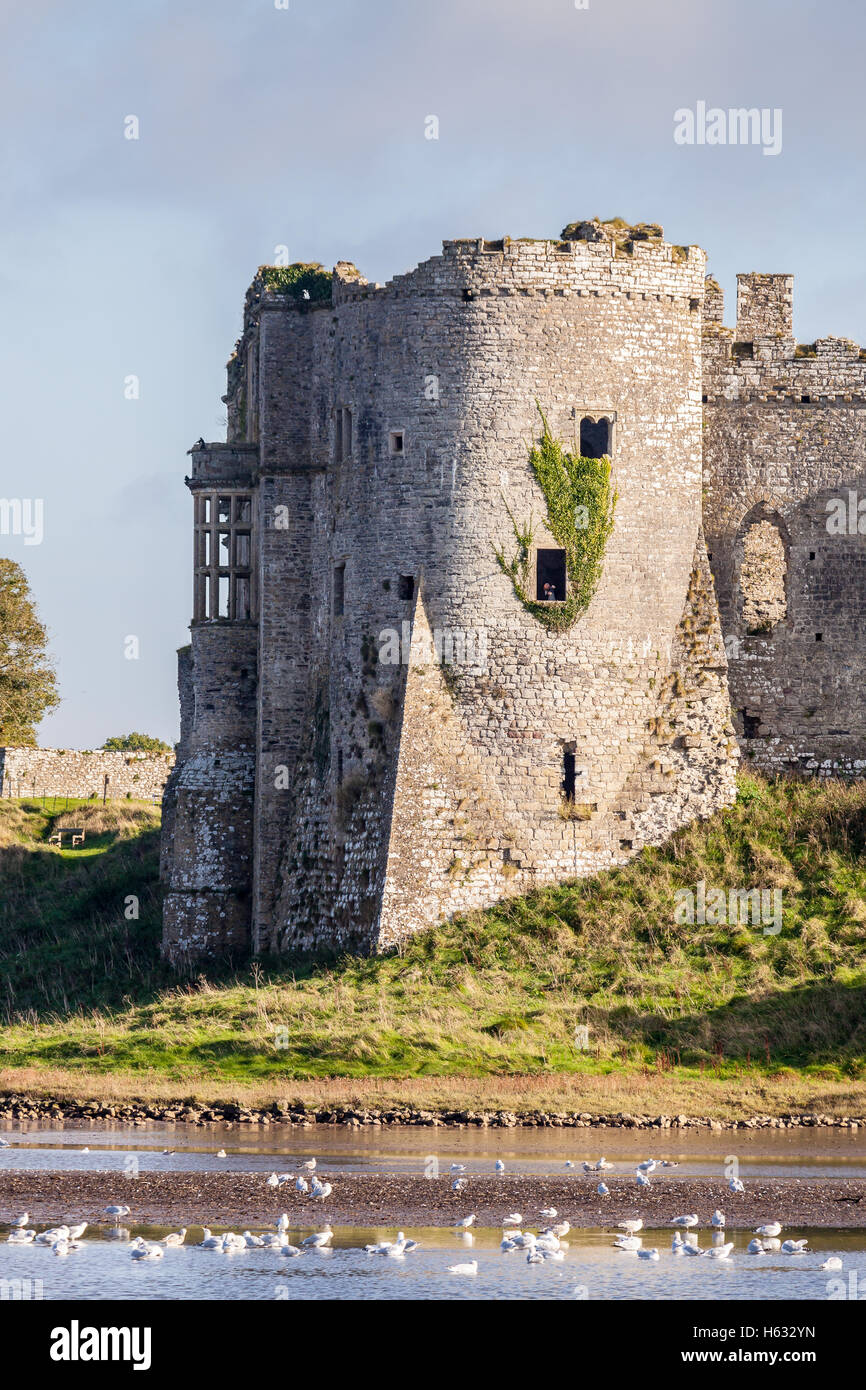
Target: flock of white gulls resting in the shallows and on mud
pixel 547 1245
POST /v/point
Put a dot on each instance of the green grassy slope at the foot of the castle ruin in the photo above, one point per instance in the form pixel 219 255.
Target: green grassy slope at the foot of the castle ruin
pixel 497 993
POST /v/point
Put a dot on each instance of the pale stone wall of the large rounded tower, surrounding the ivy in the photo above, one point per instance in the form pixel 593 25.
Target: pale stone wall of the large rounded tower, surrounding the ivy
pixel 420 790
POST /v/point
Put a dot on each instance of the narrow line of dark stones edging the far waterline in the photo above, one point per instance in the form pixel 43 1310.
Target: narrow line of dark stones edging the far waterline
pixel 28 1109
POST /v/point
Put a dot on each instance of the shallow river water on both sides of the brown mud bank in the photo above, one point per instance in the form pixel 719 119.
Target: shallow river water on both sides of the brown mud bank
pixel 591 1270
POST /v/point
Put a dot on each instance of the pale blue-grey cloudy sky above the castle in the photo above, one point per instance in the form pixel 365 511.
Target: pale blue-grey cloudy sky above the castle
pixel 305 124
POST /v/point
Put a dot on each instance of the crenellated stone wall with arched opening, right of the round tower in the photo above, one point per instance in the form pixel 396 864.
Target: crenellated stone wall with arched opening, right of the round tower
pixel 785 448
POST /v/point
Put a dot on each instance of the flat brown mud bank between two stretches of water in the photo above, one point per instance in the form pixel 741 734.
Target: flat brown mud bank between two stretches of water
pixel 398 1200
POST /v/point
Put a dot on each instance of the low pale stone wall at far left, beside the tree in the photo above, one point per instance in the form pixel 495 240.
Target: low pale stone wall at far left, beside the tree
pixel 59 772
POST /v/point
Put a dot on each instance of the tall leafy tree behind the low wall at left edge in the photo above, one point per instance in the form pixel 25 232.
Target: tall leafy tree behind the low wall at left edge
pixel 28 685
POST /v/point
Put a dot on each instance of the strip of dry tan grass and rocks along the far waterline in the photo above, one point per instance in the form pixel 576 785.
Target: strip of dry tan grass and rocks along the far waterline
pixel 647 1102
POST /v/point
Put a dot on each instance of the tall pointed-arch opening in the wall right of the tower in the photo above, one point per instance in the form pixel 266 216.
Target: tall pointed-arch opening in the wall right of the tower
pixel 762 582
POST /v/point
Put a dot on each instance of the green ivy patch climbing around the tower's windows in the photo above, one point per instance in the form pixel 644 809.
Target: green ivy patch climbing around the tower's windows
pixel 580 504
